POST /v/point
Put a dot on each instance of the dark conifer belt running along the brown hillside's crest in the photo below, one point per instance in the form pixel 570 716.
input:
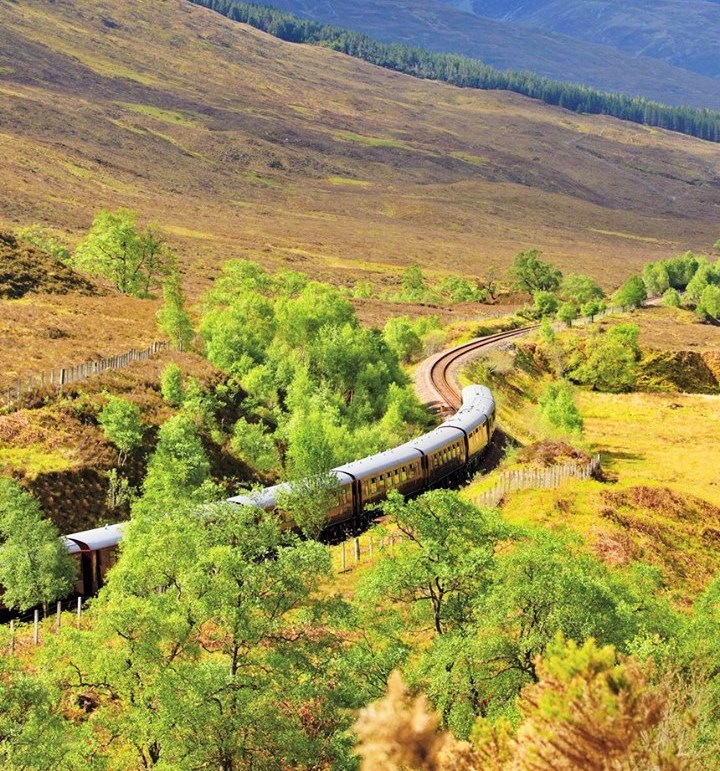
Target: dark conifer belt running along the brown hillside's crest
pixel 466 72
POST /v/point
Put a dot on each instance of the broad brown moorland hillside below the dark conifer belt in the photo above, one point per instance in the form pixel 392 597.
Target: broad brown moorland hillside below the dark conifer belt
pixel 241 145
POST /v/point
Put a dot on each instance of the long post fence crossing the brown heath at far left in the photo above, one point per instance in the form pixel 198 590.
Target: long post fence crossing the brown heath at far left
pixel 62 376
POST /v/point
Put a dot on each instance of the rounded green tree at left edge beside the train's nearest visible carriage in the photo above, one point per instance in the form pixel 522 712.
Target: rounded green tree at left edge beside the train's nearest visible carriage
pixel 35 567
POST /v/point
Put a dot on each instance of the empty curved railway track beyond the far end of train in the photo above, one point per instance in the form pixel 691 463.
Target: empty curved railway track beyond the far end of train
pixel 437 382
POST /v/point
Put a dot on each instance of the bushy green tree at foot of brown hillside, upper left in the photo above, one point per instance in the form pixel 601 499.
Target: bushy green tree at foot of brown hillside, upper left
pixel 114 248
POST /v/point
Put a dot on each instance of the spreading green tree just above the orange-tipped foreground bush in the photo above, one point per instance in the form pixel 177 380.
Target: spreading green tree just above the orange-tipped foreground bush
pixel 542 587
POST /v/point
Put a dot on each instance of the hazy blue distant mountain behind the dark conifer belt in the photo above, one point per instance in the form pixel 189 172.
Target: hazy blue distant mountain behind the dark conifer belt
pixel 650 52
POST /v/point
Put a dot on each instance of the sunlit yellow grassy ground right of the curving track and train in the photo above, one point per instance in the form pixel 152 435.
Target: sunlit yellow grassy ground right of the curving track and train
pixel 659 502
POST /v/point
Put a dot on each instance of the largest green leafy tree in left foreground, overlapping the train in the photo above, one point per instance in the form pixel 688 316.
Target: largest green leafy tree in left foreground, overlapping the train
pixel 213 648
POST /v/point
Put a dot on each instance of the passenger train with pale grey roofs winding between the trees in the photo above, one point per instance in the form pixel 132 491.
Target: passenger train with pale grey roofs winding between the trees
pixel 447 453
